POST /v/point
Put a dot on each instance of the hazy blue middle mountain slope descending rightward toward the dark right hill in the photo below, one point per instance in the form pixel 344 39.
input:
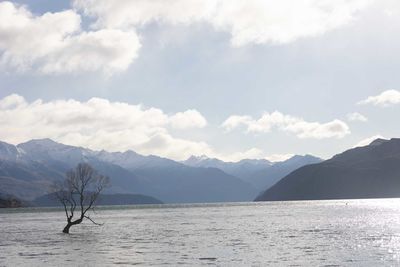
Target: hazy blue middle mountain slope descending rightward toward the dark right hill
pixel 175 182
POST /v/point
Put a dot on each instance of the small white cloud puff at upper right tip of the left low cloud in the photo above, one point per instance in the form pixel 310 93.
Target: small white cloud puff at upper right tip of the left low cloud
pixel 189 119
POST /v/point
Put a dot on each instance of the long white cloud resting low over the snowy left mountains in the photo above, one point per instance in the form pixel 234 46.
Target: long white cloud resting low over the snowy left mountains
pixel 100 124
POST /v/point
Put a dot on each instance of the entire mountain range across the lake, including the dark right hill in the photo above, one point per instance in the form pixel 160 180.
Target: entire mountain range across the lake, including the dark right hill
pixel 28 170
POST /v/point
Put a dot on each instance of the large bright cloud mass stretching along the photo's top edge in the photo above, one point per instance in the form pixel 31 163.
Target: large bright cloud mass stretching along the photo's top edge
pixel 56 43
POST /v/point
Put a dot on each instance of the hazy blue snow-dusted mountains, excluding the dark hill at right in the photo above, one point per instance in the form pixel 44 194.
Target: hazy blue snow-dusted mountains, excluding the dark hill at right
pixel 28 170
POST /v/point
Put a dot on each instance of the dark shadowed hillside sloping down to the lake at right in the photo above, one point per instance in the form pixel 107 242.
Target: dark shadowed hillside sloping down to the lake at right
pixel 372 171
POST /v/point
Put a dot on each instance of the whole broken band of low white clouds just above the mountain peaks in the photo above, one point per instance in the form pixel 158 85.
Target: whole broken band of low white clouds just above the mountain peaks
pixel 117 126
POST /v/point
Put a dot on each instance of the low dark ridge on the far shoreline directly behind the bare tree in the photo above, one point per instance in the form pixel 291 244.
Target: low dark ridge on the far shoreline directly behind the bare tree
pixel 50 200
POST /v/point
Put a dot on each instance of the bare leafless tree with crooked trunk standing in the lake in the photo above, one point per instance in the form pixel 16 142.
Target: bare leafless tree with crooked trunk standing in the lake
pixel 79 192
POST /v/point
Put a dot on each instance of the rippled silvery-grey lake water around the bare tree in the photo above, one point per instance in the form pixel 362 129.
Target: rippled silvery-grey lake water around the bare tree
pixel 307 233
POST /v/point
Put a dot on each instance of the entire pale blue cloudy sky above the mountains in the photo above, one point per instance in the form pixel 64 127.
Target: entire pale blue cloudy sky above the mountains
pixel 224 78
